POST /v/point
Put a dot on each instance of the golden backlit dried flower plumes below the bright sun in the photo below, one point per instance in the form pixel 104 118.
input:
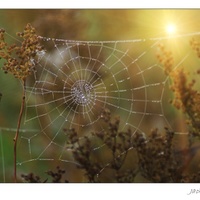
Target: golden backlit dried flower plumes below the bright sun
pixel 186 98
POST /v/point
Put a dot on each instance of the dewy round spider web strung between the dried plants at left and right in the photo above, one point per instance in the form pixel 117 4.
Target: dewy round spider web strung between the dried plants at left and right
pixel 75 81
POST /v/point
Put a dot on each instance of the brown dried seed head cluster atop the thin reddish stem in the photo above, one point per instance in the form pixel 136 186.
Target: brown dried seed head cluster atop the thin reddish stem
pixel 20 59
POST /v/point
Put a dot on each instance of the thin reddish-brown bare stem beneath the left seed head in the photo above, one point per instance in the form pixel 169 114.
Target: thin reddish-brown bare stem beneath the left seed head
pixel 17 132
